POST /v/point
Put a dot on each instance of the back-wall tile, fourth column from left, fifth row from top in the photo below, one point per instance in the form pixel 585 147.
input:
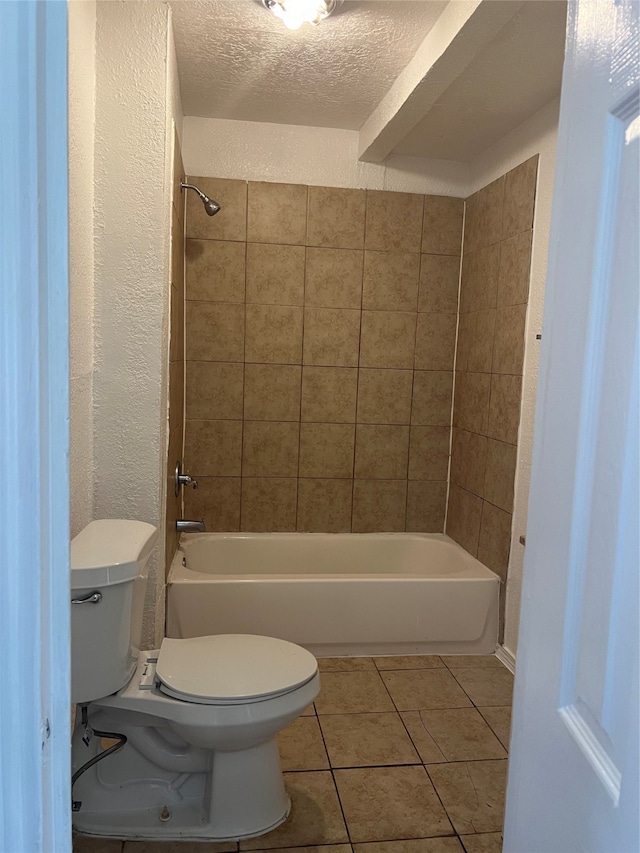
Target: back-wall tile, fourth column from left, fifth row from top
pixel 381 452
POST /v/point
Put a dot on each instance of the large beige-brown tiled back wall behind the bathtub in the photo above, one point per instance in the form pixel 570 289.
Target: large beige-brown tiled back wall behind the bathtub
pixel 321 329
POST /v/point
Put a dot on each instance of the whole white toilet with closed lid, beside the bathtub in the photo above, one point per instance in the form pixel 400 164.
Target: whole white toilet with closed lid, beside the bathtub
pixel 200 715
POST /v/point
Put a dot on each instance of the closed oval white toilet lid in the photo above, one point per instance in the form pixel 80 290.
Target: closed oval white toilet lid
pixel 232 668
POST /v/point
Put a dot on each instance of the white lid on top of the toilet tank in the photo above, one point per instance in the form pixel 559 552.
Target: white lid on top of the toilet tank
pixel 110 551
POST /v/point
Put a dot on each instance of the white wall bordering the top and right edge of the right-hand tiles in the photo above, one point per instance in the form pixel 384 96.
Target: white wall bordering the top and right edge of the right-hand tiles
pixel 538 135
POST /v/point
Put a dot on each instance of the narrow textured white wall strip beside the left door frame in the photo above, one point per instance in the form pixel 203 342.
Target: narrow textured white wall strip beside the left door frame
pixel 81 75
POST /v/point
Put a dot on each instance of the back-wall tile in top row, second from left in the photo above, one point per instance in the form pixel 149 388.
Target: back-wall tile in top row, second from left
pixel 276 213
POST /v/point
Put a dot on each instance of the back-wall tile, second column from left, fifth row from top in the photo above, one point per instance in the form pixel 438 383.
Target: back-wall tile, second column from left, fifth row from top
pixel 270 449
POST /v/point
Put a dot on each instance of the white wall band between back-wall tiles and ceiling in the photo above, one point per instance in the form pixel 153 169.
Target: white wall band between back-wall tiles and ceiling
pixel 320 156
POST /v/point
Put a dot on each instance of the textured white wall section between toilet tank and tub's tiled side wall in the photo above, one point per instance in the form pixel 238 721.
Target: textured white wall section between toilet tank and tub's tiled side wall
pixel 132 215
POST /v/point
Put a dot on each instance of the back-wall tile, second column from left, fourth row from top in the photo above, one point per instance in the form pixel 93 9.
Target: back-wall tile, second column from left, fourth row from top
pixel 272 392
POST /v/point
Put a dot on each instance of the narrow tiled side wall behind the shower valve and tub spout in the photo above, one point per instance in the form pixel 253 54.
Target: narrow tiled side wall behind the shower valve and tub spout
pixel 176 355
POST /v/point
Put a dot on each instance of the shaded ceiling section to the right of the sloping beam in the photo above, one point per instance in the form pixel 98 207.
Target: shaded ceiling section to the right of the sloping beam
pixel 516 75
